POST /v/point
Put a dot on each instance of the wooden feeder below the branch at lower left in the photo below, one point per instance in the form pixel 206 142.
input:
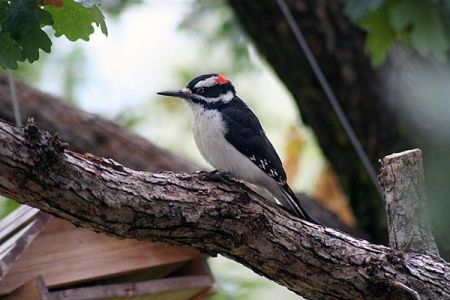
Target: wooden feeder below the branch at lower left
pixel 43 257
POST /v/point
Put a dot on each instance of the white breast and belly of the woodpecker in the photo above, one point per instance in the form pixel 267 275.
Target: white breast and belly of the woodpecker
pixel 209 134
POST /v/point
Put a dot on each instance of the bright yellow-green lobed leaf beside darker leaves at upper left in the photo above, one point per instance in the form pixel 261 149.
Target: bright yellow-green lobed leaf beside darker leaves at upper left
pixel 75 21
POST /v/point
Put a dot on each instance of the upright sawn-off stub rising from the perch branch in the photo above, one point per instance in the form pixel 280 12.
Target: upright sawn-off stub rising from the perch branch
pixel 403 183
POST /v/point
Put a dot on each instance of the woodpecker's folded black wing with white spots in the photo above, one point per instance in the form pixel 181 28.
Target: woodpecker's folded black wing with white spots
pixel 247 135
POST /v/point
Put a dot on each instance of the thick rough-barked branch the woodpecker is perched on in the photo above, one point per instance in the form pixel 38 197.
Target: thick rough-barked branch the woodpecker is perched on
pixel 181 209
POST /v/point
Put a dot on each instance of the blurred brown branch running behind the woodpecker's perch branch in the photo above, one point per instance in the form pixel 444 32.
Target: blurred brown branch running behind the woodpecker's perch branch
pixel 90 133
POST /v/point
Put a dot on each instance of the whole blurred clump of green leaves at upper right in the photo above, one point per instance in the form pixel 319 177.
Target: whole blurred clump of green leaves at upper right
pixel 420 24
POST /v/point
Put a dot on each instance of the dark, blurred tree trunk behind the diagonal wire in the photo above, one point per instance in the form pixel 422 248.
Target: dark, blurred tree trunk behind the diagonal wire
pixel 339 48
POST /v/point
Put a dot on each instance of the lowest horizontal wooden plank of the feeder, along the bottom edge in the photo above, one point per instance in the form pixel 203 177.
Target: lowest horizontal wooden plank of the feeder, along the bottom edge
pixel 159 289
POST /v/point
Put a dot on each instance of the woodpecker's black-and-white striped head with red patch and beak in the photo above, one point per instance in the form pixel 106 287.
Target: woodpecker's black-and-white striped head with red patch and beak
pixel 206 90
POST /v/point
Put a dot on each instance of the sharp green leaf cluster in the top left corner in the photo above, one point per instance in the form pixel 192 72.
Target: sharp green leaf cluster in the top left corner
pixel 23 25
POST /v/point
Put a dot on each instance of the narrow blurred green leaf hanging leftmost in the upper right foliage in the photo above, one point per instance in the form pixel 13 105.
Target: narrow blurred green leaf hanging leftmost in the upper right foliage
pixel 380 39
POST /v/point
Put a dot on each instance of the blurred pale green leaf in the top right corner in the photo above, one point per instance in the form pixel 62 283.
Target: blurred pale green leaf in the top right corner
pixel 422 20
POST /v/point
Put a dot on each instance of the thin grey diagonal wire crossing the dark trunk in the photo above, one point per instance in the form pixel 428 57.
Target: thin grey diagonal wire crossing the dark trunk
pixel 329 93
